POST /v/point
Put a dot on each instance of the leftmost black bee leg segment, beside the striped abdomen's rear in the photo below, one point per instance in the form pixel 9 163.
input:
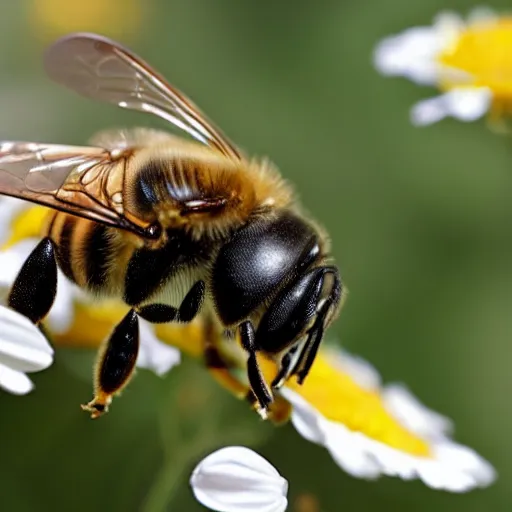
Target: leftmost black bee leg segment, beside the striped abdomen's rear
pixel 35 287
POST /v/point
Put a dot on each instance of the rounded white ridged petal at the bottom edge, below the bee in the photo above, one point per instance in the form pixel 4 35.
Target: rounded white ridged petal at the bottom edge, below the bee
pixel 236 479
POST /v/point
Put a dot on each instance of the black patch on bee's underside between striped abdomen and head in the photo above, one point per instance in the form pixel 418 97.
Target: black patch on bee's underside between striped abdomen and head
pixel 149 269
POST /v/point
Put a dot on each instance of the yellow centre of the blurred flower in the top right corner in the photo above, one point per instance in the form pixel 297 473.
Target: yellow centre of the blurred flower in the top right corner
pixel 484 51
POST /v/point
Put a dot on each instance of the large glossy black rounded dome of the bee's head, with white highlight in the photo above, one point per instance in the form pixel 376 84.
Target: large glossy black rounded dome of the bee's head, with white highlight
pixel 259 258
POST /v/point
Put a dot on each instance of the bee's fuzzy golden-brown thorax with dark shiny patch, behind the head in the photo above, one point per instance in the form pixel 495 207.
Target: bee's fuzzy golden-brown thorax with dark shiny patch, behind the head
pixel 188 186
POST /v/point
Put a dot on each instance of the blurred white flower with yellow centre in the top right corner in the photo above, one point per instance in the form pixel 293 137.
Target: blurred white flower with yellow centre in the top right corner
pixel 470 61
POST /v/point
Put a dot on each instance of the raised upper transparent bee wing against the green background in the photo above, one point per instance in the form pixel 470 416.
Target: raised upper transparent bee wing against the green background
pixel 99 68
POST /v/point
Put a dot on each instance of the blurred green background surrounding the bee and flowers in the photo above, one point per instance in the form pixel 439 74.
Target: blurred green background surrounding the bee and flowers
pixel 421 227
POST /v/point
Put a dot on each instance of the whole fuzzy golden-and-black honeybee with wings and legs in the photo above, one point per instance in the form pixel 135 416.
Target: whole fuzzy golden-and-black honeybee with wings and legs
pixel 174 227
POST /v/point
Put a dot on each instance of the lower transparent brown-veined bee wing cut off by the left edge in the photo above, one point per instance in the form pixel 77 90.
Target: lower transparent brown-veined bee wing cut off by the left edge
pixel 72 179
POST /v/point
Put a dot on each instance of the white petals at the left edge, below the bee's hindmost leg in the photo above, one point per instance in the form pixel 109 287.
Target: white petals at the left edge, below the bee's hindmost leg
pixel 23 348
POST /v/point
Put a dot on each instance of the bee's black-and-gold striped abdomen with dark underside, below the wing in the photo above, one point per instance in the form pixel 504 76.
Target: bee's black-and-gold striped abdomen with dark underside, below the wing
pixel 105 261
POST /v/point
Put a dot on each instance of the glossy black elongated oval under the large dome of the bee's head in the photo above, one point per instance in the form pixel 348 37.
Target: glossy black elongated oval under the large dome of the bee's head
pixel 290 313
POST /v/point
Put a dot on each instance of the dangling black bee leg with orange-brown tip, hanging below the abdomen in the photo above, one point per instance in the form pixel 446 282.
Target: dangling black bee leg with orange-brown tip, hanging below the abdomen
pixel 115 365
